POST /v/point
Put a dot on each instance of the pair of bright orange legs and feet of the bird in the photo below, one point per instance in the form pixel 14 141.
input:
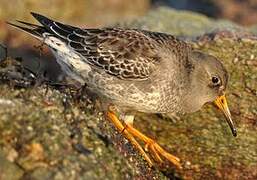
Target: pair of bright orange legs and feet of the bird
pixel 130 132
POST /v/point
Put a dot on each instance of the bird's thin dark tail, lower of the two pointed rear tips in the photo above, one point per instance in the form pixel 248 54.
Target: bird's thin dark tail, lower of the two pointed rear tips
pixel 33 29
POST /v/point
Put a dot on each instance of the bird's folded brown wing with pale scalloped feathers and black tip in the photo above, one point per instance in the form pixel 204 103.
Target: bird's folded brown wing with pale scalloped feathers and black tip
pixel 126 54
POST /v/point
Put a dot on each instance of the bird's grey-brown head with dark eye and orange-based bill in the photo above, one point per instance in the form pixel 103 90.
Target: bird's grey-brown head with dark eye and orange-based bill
pixel 208 82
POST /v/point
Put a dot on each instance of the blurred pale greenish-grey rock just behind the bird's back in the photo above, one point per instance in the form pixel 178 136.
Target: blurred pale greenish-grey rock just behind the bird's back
pixel 180 23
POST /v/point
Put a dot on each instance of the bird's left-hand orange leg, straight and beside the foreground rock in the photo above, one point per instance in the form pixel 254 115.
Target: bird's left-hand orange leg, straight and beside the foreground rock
pixel 113 118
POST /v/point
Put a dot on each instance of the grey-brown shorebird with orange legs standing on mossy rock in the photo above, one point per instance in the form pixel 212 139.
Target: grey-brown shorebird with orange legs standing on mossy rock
pixel 134 70
